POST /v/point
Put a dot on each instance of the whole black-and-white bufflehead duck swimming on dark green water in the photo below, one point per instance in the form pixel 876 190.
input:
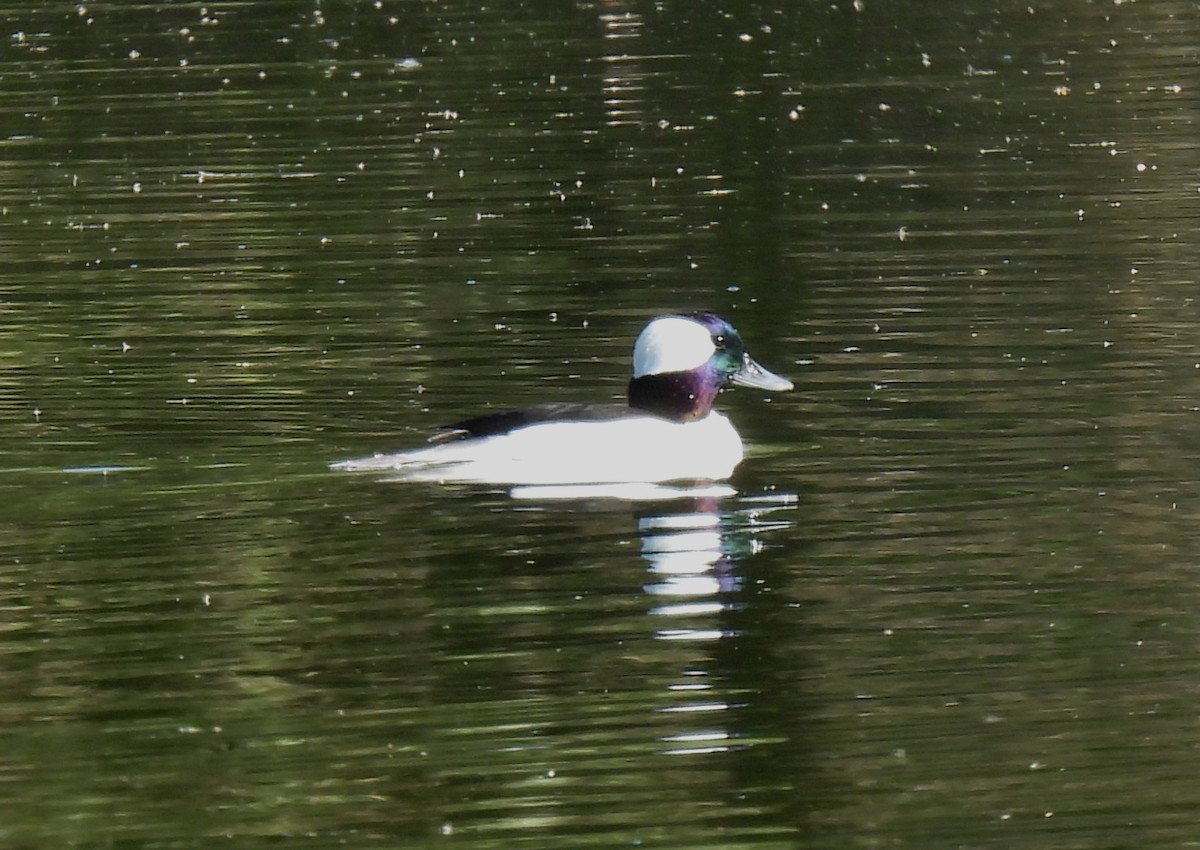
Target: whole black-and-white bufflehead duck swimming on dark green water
pixel 668 433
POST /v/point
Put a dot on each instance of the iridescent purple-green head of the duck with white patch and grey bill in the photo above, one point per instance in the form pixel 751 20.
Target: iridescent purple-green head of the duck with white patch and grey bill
pixel 681 363
